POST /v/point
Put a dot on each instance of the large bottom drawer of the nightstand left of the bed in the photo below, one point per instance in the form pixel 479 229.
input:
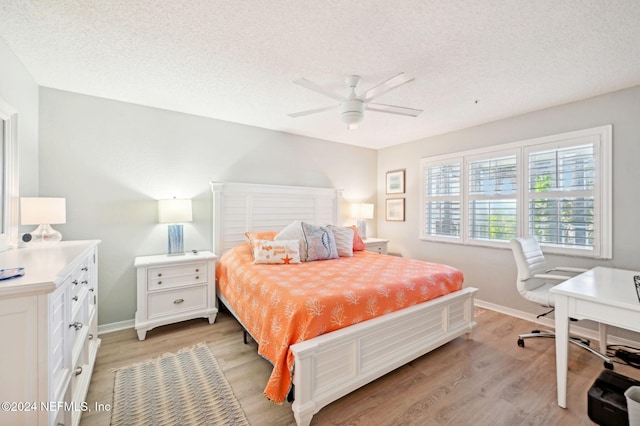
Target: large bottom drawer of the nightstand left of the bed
pixel 177 301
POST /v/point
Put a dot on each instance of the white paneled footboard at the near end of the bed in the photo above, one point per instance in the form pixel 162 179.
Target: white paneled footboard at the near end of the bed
pixel 333 365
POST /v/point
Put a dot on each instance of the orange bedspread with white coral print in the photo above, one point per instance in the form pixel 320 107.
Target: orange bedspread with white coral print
pixel 284 304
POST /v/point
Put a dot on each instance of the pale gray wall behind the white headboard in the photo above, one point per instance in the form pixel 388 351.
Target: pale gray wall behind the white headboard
pixel 112 160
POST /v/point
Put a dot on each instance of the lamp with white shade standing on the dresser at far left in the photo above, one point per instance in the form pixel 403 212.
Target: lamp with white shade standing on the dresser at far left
pixel 43 211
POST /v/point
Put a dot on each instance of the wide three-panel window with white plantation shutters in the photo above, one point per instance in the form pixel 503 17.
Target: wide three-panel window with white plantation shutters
pixel 557 188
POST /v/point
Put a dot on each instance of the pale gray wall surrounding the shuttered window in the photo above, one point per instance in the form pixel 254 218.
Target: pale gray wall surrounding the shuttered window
pixel 493 270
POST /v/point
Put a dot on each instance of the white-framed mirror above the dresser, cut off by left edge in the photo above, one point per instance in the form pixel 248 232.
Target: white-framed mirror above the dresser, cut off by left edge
pixel 9 190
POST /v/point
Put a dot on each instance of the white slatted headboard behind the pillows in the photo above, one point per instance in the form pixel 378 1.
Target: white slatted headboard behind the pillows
pixel 242 207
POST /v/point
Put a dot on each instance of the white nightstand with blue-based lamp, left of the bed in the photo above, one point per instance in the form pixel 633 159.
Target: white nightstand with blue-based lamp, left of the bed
pixel 175 288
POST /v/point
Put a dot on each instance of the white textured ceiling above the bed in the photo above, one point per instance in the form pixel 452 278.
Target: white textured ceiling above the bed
pixel 474 61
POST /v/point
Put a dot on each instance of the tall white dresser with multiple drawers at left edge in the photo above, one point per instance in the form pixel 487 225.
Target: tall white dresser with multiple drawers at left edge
pixel 49 326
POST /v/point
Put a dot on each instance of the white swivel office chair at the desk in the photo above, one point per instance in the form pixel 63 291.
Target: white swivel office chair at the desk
pixel 534 281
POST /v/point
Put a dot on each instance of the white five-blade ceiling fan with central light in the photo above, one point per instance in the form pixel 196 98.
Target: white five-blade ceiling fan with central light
pixel 352 108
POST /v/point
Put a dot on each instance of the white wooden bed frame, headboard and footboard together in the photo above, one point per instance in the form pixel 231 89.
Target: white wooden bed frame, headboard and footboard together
pixel 337 363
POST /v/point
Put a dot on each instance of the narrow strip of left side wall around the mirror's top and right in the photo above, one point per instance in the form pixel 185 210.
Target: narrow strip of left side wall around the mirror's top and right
pixel 20 91
